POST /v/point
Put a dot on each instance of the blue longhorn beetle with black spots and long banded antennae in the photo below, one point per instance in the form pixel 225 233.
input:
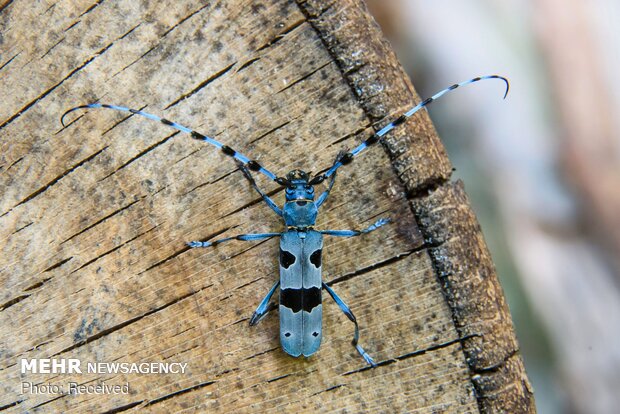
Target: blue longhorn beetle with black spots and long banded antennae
pixel 300 244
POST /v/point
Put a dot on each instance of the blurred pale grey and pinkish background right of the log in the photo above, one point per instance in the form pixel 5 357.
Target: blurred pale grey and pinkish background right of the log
pixel 542 169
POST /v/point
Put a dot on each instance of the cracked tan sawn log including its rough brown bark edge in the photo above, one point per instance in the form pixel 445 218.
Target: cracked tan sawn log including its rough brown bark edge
pixel 94 217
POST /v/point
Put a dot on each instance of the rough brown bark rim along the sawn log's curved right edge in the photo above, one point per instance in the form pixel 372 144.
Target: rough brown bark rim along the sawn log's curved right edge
pixel 460 256
